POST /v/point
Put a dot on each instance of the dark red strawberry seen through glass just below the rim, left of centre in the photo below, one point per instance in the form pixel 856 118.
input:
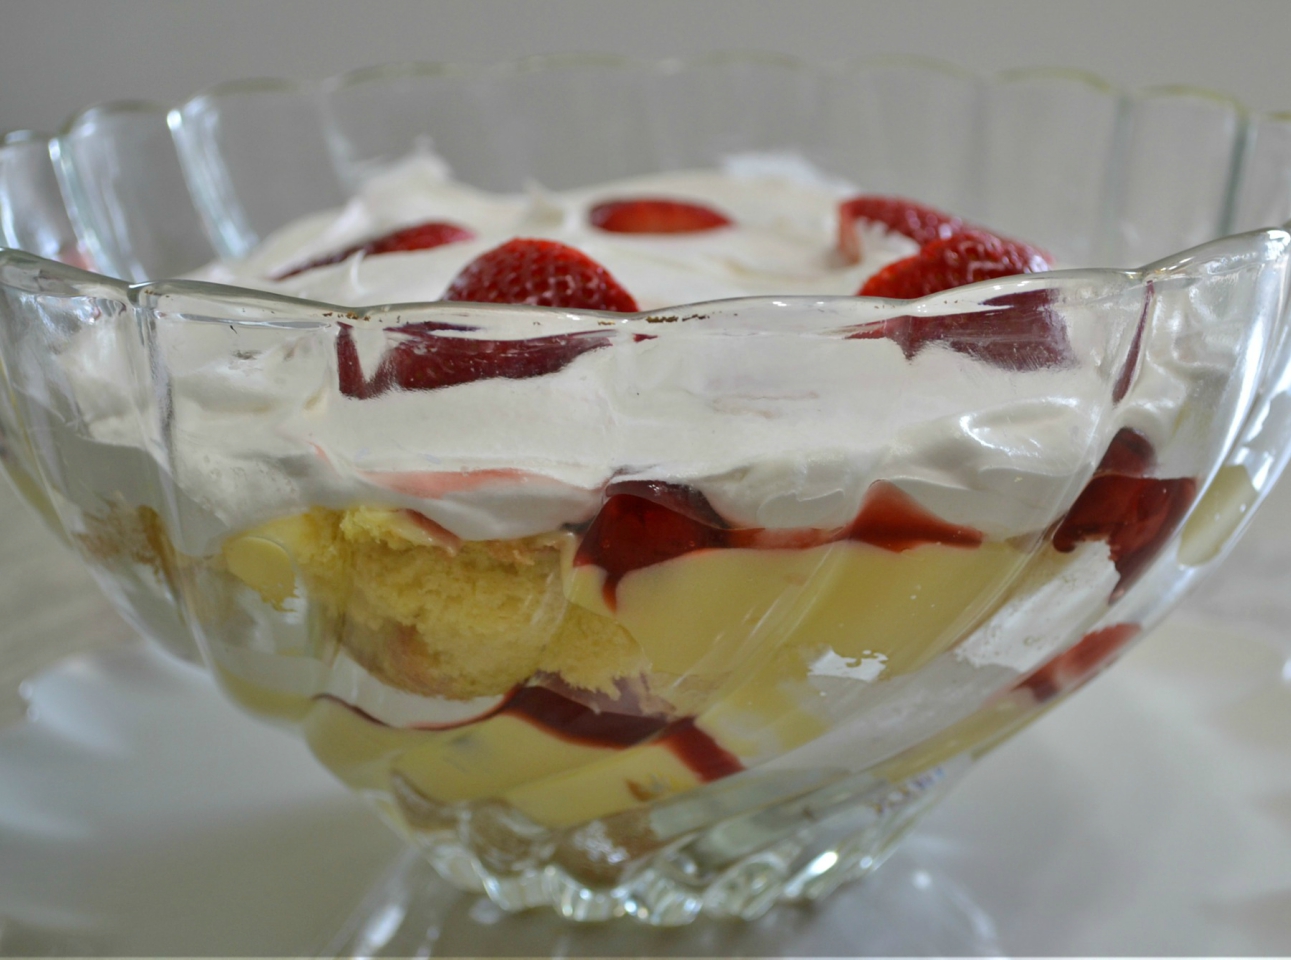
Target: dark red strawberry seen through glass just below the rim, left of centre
pixel 424 358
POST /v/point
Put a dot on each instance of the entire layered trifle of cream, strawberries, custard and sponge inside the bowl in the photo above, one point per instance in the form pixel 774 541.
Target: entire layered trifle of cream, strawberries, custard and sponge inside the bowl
pixel 570 563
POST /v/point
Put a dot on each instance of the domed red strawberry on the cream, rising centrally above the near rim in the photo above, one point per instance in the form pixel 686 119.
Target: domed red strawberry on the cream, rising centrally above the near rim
pixel 543 274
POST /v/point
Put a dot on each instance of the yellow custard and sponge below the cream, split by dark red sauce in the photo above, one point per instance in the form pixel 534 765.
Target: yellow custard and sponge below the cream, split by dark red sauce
pixel 731 637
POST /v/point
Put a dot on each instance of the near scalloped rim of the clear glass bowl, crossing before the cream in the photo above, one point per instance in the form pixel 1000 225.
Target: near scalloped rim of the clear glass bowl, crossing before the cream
pixel 1099 283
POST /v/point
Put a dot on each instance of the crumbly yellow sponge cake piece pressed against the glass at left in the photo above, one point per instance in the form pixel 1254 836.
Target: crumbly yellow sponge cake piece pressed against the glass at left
pixel 436 617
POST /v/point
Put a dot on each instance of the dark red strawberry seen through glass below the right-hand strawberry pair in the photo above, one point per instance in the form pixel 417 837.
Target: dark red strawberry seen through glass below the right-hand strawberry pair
pixel 1014 331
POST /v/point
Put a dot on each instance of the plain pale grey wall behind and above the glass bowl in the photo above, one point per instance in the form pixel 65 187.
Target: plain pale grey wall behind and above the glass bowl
pixel 57 56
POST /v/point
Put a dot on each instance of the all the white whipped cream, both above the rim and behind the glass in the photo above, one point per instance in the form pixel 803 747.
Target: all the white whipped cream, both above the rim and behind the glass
pixel 779 424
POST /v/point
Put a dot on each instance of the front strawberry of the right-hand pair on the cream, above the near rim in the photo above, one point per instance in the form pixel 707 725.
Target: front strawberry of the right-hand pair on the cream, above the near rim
pixel 961 259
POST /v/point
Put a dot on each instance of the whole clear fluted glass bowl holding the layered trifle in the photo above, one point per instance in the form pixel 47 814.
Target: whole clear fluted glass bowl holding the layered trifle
pixel 672 607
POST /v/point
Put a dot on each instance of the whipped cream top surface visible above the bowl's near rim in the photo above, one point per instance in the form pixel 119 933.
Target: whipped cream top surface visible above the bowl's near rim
pixel 782 238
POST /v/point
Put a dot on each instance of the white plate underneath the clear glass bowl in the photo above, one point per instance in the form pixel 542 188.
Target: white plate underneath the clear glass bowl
pixel 140 815
